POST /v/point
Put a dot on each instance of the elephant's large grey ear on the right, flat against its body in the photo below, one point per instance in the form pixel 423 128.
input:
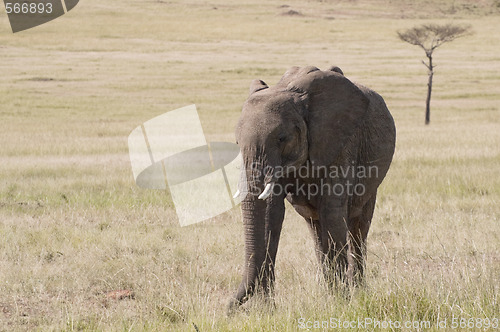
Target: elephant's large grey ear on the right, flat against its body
pixel 335 109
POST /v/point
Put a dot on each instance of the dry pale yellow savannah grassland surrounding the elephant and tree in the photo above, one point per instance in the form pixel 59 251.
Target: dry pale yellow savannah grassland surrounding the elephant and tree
pixel 74 226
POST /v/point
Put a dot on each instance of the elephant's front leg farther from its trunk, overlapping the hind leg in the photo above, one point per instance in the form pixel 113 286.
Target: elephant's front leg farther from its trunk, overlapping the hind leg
pixel 334 237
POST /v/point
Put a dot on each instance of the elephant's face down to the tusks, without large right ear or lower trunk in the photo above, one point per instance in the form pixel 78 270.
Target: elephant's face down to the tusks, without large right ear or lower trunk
pixel 271 133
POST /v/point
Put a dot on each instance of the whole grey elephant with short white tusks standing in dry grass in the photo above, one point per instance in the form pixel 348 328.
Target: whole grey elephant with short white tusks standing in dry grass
pixel 312 119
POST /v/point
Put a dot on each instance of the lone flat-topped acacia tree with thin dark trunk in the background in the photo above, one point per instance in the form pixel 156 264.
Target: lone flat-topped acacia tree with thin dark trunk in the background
pixel 429 37
